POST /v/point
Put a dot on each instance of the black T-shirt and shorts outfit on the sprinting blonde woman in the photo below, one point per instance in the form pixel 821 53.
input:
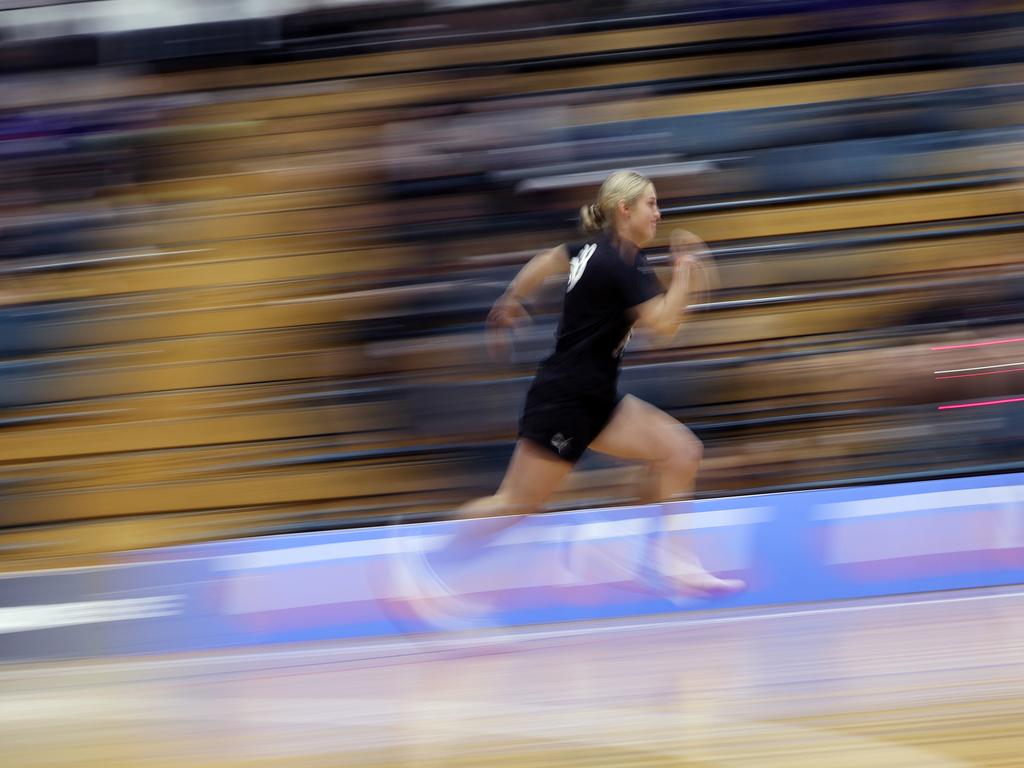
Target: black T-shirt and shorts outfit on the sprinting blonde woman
pixel 575 391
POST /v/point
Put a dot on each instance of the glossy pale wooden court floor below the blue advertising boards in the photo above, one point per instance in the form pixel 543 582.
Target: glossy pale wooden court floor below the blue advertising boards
pixel 920 680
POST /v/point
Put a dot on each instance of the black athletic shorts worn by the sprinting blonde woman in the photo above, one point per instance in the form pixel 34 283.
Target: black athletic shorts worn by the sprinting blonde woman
pixel 566 428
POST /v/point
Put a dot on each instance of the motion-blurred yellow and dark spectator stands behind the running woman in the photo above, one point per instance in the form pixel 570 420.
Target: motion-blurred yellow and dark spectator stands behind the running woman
pixel 247 248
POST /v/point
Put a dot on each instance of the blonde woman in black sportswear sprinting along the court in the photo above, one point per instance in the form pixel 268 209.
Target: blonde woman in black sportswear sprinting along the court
pixel 574 403
